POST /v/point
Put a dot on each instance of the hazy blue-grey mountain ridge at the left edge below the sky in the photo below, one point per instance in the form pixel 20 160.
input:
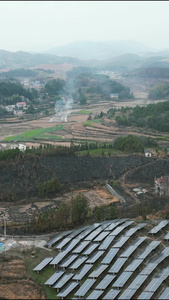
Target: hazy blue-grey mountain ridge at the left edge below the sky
pixel 21 59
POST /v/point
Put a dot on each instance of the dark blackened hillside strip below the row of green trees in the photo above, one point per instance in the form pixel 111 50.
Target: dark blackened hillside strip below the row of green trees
pixel 20 179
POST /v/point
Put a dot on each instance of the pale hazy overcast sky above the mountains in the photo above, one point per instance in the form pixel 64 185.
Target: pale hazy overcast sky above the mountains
pixel 42 25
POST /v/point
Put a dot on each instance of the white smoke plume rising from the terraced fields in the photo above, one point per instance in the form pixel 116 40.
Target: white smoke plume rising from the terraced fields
pixel 63 106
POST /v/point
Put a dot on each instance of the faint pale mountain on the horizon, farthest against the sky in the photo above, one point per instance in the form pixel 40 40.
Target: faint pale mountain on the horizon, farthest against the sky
pixel 100 50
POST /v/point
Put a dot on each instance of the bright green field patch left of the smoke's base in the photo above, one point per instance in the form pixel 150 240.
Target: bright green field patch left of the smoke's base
pixel 36 134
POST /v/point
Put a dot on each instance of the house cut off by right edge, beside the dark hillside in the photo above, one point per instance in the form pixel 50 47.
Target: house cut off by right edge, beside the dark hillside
pixel 162 186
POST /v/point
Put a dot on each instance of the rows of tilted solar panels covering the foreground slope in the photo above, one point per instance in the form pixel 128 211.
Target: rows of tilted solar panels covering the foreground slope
pixel 111 261
